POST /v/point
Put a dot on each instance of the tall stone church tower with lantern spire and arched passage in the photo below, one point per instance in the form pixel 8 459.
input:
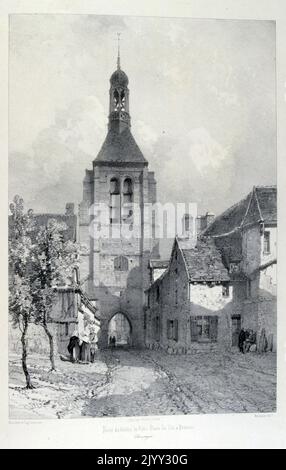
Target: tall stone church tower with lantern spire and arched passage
pixel 116 226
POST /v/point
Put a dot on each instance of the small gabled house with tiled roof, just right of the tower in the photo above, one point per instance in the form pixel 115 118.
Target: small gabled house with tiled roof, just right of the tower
pixel 189 307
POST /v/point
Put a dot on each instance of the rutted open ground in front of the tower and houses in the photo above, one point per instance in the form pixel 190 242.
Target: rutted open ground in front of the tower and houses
pixel 134 383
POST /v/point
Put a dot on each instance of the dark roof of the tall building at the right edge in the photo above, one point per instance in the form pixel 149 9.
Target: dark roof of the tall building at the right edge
pixel 258 206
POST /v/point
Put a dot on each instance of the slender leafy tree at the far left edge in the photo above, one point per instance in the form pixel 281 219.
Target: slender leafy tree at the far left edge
pixel 20 296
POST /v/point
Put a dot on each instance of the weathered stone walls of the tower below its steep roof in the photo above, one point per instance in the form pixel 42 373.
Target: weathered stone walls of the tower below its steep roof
pixel 118 291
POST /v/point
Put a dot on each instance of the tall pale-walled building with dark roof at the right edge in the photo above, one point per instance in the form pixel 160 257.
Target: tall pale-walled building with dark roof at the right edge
pixel 246 234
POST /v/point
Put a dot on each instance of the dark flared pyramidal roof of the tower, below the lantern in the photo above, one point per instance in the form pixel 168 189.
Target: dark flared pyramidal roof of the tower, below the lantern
pixel 119 147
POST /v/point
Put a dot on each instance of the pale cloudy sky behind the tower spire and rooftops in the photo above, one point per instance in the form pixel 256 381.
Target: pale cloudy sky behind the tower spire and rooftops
pixel 202 104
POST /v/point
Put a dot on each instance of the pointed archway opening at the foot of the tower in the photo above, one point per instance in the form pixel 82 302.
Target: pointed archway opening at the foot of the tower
pixel 119 331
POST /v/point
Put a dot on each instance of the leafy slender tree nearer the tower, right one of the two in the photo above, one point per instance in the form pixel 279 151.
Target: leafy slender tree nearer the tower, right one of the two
pixel 54 260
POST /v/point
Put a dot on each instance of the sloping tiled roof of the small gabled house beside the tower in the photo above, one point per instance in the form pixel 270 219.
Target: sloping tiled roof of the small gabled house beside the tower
pixel 204 262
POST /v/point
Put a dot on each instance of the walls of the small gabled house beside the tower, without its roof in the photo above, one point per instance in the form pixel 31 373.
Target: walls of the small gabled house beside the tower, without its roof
pixel 172 298
